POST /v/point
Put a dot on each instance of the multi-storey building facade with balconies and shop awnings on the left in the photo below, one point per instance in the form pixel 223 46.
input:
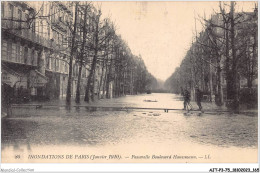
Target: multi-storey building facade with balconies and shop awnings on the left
pixel 35 50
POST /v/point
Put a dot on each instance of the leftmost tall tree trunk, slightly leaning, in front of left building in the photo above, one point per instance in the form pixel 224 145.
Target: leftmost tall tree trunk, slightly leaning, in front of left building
pixel 68 97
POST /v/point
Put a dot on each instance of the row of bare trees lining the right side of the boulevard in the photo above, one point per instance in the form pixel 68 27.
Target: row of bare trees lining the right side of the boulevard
pixel 228 45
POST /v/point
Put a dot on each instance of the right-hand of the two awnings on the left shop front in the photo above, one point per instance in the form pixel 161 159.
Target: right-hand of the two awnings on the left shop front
pixel 37 79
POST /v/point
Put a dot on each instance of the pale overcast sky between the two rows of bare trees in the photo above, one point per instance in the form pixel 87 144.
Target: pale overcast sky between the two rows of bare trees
pixel 161 32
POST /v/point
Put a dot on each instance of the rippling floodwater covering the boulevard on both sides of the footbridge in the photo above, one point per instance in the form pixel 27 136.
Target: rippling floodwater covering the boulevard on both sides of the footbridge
pixel 100 128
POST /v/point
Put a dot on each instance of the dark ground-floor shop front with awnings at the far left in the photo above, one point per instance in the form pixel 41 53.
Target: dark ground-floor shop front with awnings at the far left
pixel 21 85
